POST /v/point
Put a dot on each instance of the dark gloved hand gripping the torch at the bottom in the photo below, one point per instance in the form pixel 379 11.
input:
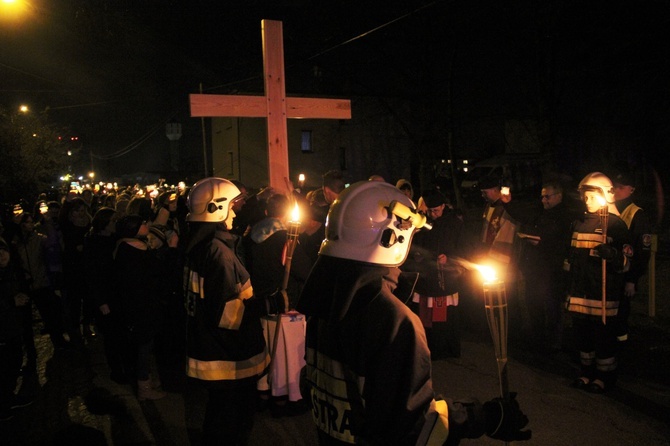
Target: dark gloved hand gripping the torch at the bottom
pixel 504 419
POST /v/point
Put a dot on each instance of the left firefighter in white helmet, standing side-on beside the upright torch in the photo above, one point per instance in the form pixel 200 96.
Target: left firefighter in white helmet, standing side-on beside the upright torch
pixel 226 349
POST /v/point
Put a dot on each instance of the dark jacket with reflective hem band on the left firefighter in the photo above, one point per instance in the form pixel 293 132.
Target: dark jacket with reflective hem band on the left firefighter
pixel 225 336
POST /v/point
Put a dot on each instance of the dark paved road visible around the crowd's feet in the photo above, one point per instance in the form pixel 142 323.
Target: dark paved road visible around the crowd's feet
pixel 77 404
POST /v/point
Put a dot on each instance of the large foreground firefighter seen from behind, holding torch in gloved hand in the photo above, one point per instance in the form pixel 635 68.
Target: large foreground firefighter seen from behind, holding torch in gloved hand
pixel 368 372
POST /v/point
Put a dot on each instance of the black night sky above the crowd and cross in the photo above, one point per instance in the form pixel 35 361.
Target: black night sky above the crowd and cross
pixel 116 71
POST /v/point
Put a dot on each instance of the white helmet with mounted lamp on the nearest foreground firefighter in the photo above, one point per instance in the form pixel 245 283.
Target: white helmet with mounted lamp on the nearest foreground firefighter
pixel 371 222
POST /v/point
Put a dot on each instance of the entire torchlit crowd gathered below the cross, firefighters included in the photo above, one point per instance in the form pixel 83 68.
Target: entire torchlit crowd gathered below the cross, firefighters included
pixel 186 275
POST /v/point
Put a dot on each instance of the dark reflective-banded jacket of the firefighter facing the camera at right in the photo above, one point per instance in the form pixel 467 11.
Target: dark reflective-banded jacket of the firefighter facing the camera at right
pixel 585 265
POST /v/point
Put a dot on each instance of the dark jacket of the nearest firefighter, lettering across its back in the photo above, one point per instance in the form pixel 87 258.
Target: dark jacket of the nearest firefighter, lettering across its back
pixel 368 364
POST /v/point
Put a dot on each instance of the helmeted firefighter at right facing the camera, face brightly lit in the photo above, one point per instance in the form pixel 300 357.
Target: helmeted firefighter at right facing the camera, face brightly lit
pixel 598 256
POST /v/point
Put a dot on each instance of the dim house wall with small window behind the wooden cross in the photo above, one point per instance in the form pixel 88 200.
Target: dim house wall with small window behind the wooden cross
pixel 373 142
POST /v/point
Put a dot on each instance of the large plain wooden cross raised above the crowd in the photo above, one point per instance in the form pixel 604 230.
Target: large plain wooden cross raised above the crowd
pixel 274 106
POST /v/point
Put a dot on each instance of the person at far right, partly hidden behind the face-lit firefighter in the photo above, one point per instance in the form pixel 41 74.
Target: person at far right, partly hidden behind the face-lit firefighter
pixel 640 231
